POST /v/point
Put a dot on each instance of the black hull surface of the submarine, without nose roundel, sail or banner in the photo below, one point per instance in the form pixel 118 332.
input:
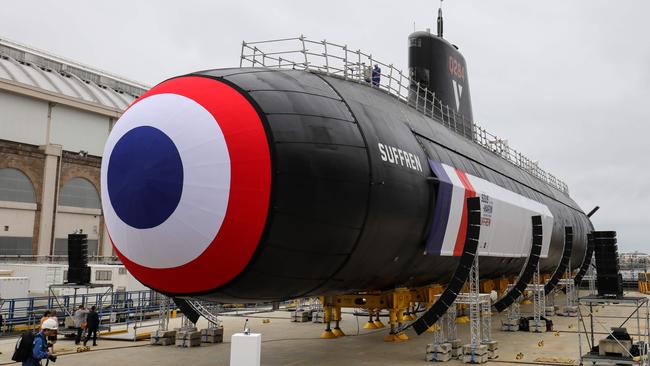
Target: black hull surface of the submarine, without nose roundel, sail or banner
pixel 340 218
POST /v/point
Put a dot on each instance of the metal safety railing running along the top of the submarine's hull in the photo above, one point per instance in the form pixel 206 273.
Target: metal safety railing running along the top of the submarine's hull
pixel 301 53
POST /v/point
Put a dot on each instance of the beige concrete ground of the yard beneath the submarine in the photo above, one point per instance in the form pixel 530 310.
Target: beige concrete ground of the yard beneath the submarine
pixel 286 343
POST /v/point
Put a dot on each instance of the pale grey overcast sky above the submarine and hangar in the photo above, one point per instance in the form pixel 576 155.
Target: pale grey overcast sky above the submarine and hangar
pixel 565 82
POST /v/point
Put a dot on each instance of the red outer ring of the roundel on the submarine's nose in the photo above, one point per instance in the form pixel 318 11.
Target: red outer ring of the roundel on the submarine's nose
pixel 250 190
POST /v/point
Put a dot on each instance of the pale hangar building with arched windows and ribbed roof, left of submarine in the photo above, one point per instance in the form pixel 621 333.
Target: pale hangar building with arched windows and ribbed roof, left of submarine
pixel 55 116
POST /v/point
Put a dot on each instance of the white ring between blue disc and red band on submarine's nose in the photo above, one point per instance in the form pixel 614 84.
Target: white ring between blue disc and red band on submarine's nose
pixel 190 229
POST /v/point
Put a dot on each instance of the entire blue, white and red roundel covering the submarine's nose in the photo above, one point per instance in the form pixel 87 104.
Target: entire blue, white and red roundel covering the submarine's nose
pixel 186 181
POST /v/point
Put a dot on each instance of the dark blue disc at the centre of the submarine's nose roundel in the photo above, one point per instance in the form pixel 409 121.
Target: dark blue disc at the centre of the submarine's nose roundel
pixel 145 177
